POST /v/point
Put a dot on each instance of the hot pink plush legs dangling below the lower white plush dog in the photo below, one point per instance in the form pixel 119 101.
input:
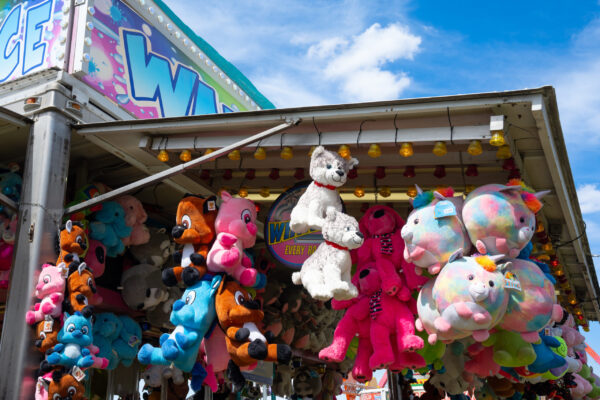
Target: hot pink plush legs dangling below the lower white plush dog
pixel 356 321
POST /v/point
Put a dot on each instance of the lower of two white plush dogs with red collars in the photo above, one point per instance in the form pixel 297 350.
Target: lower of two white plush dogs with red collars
pixel 326 273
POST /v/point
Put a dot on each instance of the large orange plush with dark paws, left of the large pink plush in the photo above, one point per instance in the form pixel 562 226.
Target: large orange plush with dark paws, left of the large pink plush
pixel 195 230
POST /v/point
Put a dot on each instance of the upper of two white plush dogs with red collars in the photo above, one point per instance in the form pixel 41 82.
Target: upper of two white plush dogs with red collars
pixel 328 171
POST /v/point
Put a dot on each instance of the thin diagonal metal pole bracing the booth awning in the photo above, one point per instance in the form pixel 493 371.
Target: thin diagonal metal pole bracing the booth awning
pixel 178 169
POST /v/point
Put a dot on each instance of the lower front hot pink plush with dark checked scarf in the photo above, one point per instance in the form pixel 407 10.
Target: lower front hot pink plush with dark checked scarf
pixel 391 319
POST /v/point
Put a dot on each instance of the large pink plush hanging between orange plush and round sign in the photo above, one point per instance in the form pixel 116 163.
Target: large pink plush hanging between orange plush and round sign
pixel 236 230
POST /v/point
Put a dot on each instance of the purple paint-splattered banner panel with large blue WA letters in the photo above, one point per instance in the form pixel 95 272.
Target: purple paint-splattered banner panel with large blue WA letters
pixel 132 63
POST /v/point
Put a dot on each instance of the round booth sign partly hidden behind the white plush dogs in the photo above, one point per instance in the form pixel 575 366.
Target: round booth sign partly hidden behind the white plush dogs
pixel 288 247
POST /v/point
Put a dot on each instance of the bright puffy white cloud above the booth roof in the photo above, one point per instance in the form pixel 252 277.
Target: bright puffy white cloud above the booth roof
pixel 357 64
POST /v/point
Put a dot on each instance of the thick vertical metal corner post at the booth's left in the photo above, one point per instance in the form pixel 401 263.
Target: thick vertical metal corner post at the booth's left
pixel 40 212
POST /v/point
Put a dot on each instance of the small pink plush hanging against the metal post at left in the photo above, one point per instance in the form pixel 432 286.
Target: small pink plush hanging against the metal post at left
pixel 50 289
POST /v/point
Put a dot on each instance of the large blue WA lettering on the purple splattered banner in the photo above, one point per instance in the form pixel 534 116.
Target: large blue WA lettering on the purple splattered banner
pixel 151 80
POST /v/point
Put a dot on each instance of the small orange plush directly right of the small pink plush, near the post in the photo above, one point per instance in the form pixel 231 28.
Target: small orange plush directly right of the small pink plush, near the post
pixel 81 287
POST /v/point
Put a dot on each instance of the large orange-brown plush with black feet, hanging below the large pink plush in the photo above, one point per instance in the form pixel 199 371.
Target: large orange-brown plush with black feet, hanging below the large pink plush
pixel 239 316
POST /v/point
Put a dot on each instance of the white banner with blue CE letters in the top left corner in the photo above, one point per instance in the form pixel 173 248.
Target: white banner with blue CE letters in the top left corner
pixel 31 37
